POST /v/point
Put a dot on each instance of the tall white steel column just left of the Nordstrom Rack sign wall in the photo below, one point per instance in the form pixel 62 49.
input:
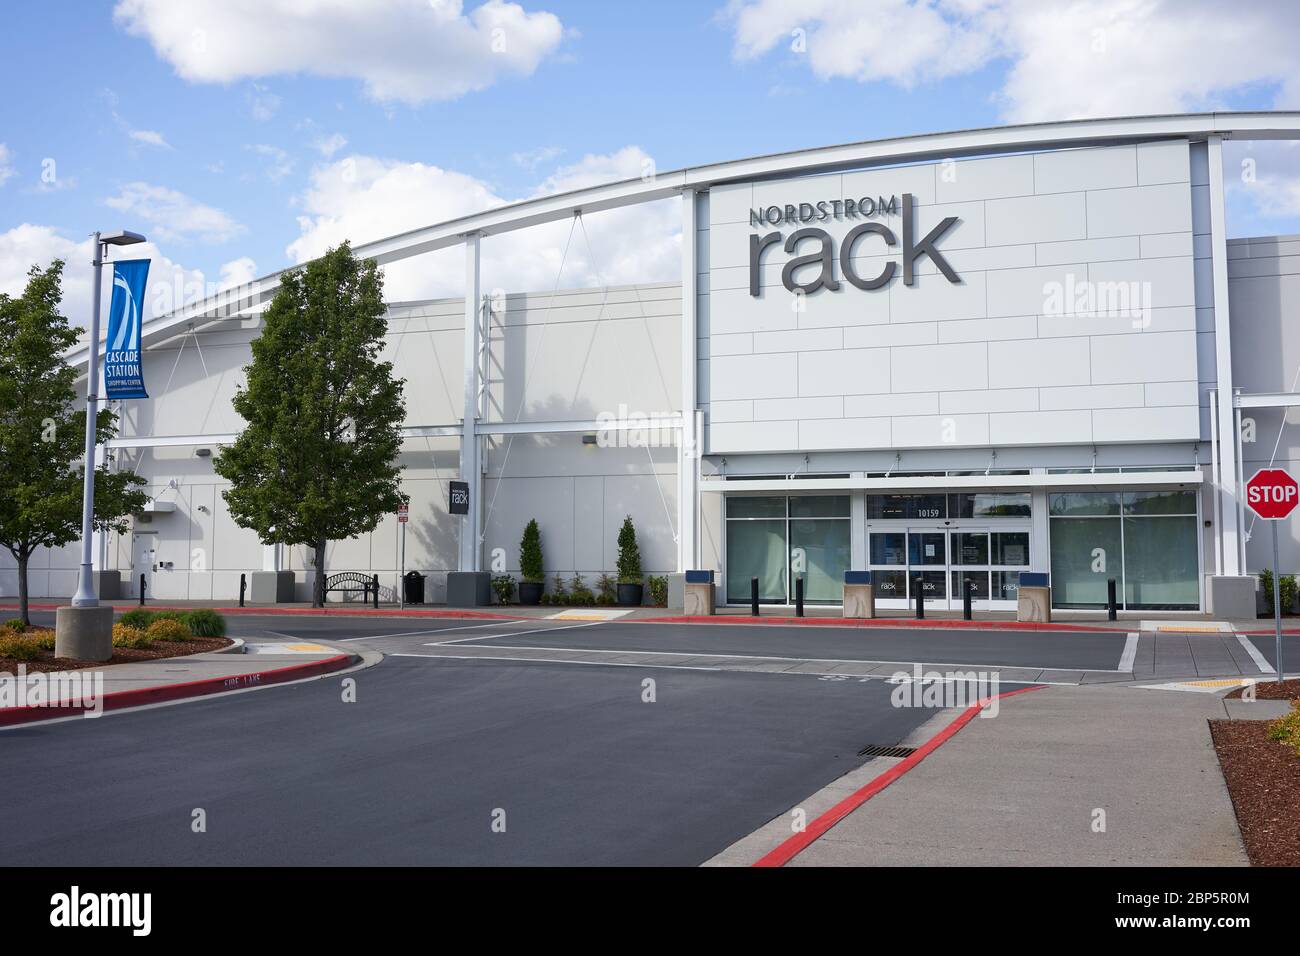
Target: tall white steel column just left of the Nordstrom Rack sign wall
pixel 688 440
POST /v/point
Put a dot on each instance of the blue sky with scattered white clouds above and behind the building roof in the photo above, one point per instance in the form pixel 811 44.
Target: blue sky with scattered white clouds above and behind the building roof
pixel 245 140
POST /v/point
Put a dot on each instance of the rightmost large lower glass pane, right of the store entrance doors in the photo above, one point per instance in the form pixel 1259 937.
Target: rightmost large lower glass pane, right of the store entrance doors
pixel 1160 563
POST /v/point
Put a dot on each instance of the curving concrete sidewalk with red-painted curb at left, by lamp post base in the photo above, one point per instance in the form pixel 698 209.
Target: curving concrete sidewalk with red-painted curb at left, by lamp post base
pixel 176 678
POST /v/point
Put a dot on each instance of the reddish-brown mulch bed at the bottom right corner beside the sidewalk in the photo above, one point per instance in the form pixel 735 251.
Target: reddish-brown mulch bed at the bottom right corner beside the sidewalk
pixel 1263 778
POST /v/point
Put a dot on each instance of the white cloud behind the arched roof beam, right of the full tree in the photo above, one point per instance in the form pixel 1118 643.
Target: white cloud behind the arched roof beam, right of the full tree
pixel 363 198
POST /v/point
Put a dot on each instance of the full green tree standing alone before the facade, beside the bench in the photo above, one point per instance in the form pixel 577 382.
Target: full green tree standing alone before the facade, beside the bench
pixel 318 461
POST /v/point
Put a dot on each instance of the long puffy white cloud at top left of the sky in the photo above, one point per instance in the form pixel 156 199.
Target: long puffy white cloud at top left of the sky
pixel 409 51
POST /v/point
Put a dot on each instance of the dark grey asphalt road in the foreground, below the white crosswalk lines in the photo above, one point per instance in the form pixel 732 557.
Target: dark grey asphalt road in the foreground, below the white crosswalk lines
pixel 413 773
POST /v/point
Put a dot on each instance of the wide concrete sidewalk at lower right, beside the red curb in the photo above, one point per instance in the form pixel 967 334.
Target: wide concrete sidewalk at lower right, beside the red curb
pixel 1025 789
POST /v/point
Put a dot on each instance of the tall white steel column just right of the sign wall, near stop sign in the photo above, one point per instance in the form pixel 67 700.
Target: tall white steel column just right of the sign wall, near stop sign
pixel 1230 529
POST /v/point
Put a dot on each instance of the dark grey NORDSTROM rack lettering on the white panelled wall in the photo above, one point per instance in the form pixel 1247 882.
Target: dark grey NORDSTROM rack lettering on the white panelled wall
pixel 816 246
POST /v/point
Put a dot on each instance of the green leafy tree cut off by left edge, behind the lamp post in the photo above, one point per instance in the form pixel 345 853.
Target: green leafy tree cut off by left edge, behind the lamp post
pixel 44 434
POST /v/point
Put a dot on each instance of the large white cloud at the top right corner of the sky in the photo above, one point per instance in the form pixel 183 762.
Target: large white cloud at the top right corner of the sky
pixel 1064 60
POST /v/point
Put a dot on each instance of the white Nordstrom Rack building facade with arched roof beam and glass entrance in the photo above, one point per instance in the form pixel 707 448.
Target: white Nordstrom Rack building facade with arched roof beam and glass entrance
pixel 947 358
